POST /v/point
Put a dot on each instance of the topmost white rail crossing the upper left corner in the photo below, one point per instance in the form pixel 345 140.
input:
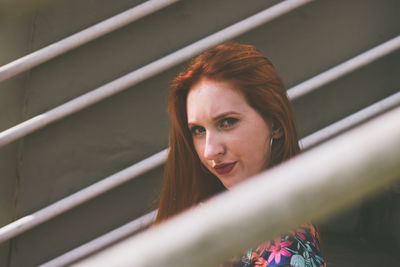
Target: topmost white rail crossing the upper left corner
pixel 44 54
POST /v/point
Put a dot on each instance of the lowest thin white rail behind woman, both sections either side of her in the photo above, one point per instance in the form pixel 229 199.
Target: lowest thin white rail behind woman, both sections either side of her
pixel 311 140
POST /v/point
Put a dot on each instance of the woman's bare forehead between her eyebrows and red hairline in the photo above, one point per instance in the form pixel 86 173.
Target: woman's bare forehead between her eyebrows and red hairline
pixel 207 99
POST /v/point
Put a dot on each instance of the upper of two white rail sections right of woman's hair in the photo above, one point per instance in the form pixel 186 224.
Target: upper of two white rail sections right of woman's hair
pixel 344 68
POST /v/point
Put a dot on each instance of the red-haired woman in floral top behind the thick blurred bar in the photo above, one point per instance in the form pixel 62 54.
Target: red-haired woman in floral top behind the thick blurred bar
pixel 231 119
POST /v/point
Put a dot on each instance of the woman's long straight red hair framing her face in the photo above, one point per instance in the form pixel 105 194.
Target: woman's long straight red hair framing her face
pixel 186 182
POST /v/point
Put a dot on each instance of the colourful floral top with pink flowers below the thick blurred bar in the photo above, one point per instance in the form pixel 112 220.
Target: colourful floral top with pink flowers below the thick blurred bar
pixel 299 248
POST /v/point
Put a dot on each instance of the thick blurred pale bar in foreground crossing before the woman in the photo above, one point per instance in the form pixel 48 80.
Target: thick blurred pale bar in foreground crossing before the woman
pixel 310 187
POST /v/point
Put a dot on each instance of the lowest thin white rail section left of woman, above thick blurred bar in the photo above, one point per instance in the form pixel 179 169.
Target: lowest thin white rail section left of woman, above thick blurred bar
pixel 102 241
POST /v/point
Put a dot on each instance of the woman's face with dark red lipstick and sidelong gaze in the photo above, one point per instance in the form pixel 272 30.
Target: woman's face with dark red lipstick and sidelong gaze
pixel 231 139
